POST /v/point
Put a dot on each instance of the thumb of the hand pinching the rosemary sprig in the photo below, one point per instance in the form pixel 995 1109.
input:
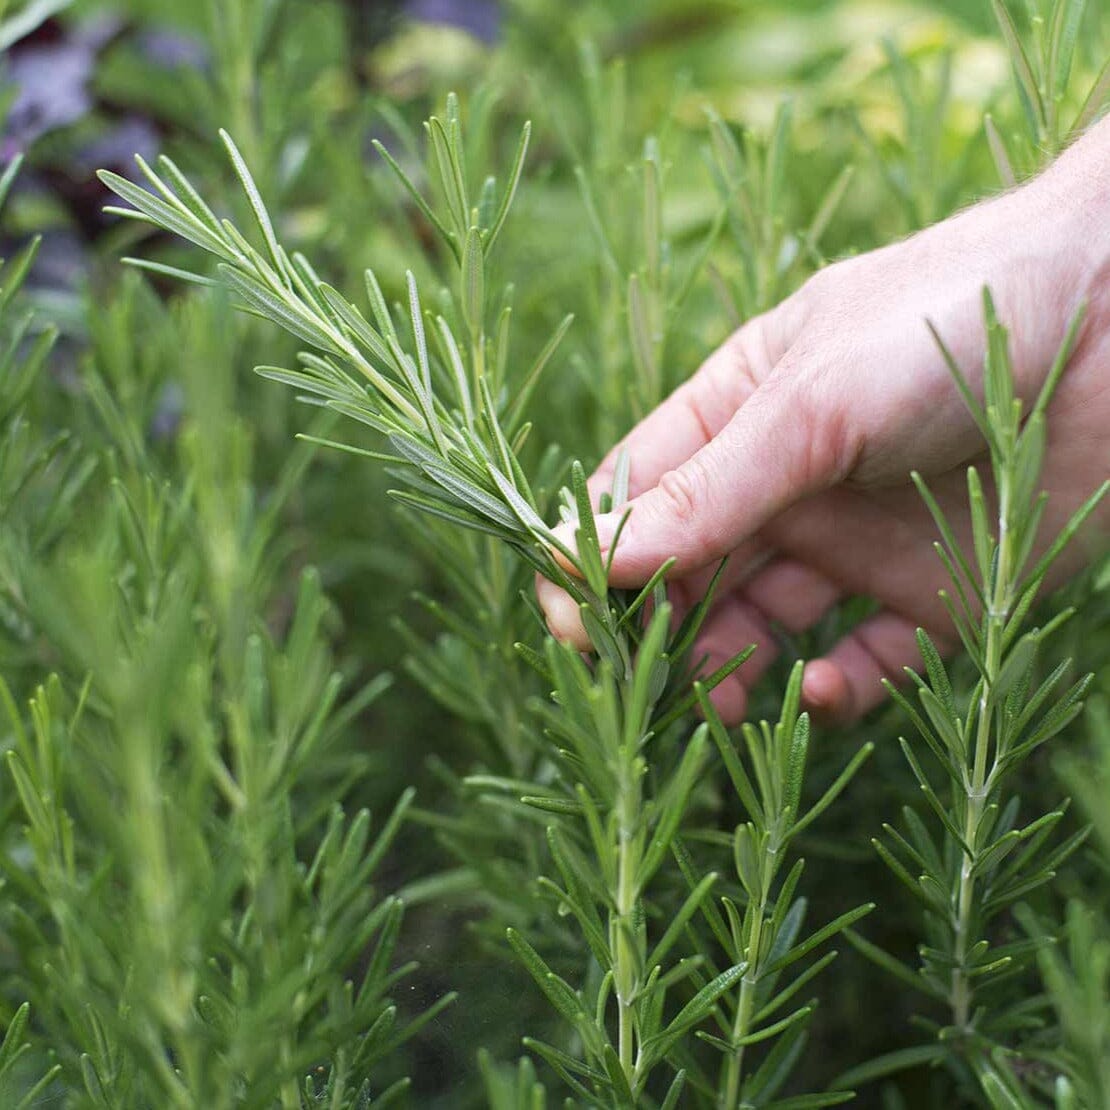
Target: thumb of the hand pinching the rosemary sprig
pixel 783 445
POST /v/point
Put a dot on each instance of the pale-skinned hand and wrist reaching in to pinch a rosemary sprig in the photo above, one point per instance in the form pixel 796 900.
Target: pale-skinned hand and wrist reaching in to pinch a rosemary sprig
pixel 791 448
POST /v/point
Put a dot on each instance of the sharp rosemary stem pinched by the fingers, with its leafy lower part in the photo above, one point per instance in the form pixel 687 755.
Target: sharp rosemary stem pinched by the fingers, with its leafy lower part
pixel 460 466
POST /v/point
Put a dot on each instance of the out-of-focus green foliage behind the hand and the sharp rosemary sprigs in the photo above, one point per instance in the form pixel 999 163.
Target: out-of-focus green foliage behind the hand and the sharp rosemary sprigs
pixel 195 578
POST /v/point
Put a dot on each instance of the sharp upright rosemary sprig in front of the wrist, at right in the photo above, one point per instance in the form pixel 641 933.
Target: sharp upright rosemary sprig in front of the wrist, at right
pixel 984 855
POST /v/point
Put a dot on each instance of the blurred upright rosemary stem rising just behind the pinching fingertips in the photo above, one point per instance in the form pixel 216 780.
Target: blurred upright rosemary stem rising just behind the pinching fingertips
pixel 640 270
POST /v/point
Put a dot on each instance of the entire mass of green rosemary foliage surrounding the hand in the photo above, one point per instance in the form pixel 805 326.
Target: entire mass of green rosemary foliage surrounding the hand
pixel 245 866
